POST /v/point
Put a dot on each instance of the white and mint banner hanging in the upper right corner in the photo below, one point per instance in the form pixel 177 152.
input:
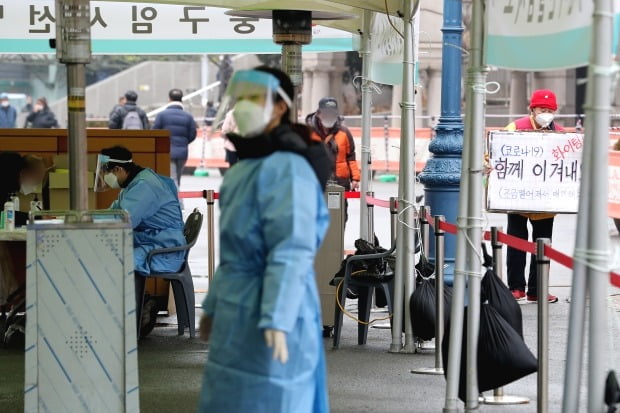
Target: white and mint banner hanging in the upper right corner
pixel 541 35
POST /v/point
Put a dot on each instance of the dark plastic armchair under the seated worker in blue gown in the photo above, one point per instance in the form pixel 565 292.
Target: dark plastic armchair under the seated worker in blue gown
pixel 181 281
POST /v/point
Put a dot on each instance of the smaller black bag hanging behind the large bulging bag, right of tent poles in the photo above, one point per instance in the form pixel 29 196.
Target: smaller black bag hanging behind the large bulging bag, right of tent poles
pixel 499 296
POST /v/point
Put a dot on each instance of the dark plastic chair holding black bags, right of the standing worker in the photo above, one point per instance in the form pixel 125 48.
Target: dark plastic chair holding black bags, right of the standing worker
pixel 366 289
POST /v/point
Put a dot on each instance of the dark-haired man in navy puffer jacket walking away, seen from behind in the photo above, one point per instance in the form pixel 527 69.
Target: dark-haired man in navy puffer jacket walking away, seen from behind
pixel 182 129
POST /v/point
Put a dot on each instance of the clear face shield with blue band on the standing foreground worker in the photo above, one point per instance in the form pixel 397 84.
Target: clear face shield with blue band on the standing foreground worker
pixel 251 97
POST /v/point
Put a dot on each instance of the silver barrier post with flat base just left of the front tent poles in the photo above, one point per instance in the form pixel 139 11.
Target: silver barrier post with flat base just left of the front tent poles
pixel 439 300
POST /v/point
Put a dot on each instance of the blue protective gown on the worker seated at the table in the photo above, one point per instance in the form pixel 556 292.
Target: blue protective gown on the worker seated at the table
pixel 155 213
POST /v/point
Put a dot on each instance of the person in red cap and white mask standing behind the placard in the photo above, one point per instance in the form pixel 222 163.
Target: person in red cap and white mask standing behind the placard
pixel 543 106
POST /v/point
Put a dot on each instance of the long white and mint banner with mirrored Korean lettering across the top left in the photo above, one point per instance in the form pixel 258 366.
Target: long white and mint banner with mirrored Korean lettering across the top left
pixel 143 28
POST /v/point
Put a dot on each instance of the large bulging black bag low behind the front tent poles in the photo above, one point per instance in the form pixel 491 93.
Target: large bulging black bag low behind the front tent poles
pixel 503 356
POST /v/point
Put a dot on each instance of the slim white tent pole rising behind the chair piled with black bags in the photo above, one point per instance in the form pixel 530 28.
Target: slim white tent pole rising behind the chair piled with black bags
pixel 366 177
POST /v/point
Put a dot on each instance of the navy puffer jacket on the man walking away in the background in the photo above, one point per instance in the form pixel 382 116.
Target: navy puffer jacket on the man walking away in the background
pixel 182 129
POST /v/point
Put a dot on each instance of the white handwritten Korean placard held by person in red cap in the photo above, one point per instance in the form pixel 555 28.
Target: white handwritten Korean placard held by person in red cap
pixel 534 171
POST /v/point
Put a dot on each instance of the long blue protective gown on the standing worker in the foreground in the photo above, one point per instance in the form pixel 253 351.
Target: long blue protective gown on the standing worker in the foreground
pixel 273 219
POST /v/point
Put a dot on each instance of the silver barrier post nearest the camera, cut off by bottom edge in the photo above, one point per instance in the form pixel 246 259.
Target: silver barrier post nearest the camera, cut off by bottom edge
pixel 542 269
